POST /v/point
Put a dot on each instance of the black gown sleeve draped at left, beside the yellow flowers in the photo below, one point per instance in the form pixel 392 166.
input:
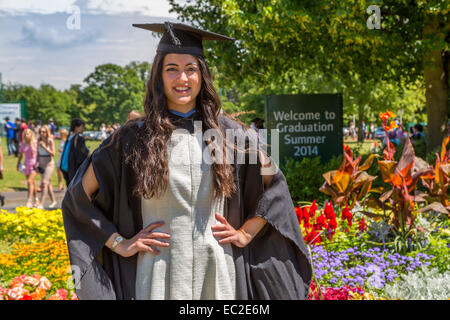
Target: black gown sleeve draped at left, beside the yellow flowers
pixel 88 224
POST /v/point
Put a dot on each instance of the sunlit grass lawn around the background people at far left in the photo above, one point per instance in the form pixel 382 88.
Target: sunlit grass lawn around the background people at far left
pixel 13 180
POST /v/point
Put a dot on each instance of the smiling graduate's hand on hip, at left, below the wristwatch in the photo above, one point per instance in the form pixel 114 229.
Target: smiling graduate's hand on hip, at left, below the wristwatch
pixel 146 240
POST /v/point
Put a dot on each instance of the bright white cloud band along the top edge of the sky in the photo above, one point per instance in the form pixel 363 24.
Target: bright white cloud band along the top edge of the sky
pixel 155 8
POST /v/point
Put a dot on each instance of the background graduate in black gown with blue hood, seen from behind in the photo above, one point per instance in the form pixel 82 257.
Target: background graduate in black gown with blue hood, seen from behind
pixel 74 152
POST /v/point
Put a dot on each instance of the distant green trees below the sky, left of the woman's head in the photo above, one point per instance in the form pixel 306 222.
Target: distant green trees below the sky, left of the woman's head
pixel 109 93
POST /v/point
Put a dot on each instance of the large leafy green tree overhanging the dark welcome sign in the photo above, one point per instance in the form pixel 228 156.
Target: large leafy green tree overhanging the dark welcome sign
pixel 332 40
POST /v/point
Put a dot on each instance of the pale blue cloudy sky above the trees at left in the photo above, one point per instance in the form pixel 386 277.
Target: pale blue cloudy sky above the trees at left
pixel 36 46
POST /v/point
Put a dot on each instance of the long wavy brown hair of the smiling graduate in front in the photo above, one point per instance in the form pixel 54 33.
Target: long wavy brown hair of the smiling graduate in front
pixel 148 156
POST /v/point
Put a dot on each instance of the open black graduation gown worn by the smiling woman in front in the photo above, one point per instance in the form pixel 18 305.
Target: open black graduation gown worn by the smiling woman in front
pixel 275 265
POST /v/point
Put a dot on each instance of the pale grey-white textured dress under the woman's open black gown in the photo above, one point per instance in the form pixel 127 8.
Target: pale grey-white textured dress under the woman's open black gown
pixel 194 266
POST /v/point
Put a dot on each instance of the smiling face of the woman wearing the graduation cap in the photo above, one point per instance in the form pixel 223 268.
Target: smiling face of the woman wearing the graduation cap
pixel 182 80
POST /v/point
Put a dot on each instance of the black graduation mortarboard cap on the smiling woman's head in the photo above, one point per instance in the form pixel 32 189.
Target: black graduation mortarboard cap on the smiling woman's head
pixel 181 38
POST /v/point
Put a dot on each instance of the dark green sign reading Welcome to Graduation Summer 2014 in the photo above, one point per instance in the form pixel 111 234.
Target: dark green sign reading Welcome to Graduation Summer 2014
pixel 309 125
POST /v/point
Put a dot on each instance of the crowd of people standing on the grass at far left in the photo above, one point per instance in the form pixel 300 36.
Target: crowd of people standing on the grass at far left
pixel 34 146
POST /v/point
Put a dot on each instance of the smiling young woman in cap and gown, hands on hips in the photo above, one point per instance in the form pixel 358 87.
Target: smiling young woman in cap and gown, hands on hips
pixel 148 216
